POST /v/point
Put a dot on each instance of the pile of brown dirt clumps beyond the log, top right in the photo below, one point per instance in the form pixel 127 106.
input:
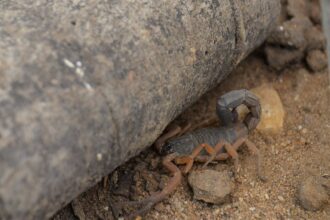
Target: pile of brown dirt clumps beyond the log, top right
pixel 298 37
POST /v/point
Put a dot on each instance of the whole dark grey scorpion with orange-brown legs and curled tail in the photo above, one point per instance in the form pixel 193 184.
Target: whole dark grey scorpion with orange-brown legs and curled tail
pixel 207 144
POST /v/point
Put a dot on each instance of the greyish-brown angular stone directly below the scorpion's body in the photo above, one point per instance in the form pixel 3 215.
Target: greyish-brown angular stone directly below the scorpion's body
pixel 211 186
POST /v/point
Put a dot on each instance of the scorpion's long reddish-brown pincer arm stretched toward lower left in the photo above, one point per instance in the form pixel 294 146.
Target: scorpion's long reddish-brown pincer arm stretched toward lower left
pixel 159 196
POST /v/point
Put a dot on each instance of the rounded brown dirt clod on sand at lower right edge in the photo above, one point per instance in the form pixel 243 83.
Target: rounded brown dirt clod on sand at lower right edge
pixel 312 195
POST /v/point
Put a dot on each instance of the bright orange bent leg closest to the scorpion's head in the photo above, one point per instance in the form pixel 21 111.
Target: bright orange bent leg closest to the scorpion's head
pixel 189 160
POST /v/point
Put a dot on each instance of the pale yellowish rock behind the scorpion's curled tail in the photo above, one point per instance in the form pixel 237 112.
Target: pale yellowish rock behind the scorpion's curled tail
pixel 272 111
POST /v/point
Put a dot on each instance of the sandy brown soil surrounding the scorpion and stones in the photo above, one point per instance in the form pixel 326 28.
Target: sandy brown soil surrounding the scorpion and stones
pixel 301 150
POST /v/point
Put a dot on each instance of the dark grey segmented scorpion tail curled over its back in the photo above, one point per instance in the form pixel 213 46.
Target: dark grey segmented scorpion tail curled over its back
pixel 227 104
